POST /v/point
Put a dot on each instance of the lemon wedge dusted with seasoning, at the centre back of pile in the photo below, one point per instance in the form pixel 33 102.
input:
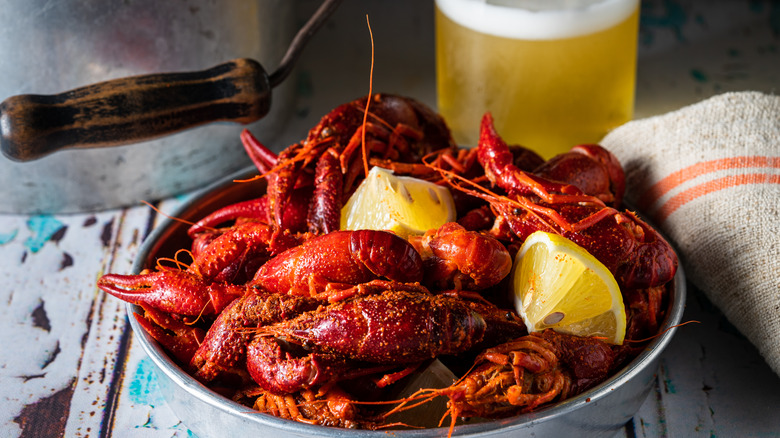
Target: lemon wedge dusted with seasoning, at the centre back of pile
pixel 401 204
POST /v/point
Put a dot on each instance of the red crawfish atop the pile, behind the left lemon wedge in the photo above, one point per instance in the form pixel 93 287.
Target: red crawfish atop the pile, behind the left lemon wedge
pixel 331 158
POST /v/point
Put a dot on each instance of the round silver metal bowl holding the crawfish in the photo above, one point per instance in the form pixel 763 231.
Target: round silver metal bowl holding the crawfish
pixel 599 412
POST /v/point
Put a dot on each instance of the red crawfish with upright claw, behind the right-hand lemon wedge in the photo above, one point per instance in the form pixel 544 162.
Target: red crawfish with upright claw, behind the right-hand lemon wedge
pixel 633 251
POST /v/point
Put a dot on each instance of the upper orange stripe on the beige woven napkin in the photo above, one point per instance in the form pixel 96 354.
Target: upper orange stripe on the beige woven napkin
pixel 674 179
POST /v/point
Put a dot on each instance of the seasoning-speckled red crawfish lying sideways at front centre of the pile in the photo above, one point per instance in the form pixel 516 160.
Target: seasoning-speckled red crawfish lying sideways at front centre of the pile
pixel 392 328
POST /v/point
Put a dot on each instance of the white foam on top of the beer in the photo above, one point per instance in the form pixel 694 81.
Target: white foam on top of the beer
pixel 538 20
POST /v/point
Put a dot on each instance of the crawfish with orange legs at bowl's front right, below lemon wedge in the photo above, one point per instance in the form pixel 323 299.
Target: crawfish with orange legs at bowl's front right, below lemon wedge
pixel 523 374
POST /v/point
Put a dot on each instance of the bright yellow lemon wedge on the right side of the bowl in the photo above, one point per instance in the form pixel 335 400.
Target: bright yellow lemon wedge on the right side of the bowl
pixel 558 284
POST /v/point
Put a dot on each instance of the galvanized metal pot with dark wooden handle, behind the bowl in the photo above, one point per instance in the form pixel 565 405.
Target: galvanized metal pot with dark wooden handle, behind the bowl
pixel 134 110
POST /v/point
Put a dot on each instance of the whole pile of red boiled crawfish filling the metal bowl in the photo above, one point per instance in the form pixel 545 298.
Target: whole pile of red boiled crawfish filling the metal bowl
pixel 282 311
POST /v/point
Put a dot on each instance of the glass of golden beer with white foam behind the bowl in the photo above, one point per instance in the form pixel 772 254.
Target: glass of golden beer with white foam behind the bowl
pixel 553 73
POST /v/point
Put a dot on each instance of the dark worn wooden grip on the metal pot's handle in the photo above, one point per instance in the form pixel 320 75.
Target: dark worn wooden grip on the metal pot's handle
pixel 132 109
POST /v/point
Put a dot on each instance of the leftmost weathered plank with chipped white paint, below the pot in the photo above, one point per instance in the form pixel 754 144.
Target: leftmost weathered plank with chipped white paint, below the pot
pixel 50 301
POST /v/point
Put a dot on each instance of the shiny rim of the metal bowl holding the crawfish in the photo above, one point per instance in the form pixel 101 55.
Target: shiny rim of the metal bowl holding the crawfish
pixel 202 393
